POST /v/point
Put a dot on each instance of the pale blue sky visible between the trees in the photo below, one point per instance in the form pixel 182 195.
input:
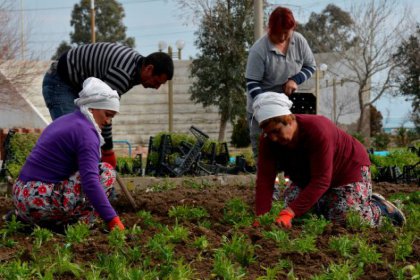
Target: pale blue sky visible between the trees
pixel 47 22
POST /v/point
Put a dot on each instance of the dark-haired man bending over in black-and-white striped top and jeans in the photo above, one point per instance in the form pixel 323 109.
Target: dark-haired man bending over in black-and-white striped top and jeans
pixel 119 66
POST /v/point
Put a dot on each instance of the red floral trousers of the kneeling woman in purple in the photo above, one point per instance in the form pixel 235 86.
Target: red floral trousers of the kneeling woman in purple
pixel 56 204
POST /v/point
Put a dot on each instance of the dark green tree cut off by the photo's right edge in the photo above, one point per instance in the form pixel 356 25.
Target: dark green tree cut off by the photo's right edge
pixel 409 74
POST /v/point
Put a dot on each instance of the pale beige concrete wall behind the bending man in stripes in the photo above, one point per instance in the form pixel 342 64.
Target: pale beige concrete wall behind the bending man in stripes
pixel 144 112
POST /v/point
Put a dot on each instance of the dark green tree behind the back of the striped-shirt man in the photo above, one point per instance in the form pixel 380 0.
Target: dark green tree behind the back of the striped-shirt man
pixel 109 26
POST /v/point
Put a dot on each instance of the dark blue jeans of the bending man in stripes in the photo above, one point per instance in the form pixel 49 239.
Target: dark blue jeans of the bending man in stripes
pixel 58 95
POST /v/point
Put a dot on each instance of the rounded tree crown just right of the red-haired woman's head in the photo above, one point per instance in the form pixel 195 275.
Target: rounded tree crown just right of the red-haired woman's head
pixel 329 31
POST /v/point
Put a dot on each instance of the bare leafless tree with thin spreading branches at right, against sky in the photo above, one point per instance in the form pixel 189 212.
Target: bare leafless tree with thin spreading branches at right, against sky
pixel 379 26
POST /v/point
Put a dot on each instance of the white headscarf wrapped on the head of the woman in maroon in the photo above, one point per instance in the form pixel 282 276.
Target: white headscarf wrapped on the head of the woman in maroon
pixel 270 104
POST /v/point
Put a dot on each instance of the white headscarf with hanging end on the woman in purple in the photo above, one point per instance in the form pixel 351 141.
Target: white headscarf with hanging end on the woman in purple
pixel 97 95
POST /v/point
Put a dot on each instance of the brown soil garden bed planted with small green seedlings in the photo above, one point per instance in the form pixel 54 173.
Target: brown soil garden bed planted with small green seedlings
pixel 202 231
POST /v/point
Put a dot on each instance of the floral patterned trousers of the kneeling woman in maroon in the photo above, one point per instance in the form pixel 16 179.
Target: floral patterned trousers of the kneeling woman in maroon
pixel 338 201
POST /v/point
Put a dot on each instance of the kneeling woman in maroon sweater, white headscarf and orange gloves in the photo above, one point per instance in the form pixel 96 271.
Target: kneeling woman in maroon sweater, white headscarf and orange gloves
pixel 328 169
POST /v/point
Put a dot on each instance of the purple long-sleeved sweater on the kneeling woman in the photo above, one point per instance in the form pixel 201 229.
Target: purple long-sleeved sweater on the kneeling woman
pixel 67 145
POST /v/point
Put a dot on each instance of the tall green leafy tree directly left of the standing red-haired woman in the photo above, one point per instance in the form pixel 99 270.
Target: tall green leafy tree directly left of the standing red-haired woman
pixel 225 34
